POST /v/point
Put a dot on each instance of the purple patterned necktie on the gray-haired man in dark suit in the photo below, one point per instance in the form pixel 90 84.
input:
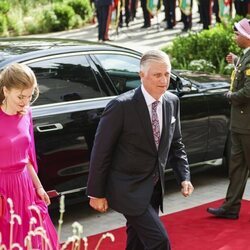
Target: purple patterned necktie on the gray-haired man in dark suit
pixel 157 135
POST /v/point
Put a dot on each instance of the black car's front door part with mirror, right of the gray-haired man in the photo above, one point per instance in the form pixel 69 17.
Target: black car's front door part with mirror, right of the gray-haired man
pixel 194 119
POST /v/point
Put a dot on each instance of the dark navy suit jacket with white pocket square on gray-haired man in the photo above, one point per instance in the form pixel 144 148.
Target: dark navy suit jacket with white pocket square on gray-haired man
pixel 124 154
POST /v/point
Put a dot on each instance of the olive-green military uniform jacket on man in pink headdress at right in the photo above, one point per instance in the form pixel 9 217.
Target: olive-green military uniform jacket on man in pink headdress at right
pixel 240 98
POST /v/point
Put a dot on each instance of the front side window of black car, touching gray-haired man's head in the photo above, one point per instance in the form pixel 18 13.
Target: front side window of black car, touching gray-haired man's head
pixel 123 70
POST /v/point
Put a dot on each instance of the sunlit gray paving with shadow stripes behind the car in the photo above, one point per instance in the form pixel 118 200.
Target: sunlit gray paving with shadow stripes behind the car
pixel 134 37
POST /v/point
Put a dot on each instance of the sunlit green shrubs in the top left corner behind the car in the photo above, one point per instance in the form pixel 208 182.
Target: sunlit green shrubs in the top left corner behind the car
pixel 41 16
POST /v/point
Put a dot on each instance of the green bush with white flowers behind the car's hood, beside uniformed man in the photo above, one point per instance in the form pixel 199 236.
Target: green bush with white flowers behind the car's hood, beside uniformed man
pixel 206 50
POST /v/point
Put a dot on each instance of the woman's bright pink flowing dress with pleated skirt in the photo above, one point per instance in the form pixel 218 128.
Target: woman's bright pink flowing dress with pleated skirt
pixel 16 150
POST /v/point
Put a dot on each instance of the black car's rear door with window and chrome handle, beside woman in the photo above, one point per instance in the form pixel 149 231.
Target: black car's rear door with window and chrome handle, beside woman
pixel 66 114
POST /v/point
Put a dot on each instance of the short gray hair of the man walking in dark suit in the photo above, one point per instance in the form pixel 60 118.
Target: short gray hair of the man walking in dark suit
pixel 156 56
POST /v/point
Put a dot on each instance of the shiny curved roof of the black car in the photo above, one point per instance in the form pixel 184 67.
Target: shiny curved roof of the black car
pixel 21 49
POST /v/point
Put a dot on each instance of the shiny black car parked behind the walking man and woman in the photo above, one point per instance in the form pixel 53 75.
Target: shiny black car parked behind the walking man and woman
pixel 77 79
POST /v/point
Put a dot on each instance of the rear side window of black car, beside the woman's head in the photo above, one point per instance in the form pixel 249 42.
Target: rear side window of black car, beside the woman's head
pixel 63 79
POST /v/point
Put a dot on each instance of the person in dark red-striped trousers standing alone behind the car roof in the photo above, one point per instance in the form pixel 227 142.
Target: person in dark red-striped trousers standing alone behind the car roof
pixel 103 11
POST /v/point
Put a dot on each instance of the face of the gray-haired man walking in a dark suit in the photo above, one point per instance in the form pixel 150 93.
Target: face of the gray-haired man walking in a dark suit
pixel 155 78
